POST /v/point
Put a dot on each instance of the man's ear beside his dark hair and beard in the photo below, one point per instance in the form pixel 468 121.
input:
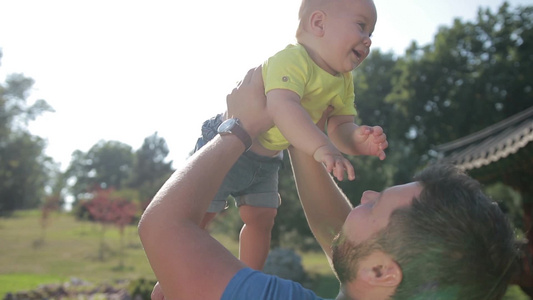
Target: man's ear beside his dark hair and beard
pixel 379 269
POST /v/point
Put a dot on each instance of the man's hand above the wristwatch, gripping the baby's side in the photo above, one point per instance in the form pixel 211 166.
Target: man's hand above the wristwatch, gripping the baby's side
pixel 247 102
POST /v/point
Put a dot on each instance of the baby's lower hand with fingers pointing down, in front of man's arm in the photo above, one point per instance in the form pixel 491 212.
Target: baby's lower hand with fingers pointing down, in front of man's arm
pixel 334 161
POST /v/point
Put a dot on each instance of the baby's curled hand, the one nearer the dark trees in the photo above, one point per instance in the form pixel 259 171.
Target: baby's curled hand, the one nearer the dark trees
pixel 370 141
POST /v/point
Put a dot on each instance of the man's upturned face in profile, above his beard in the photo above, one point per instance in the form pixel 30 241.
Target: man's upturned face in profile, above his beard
pixel 375 209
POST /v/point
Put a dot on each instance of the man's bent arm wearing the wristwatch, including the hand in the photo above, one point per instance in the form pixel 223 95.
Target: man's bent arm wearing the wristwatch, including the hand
pixel 186 260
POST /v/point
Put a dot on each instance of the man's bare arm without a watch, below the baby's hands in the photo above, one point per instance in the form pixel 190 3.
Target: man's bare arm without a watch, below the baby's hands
pixel 324 204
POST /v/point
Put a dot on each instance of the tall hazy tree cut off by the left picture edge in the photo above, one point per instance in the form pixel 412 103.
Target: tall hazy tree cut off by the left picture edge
pixel 23 166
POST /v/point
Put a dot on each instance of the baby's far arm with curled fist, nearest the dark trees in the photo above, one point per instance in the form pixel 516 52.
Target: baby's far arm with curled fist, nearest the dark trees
pixel 352 139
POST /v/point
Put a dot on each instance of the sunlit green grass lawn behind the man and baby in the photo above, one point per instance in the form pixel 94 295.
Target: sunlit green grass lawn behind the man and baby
pixel 69 248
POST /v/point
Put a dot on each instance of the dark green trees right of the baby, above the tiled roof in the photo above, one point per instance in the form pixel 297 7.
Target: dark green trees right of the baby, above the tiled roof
pixel 473 75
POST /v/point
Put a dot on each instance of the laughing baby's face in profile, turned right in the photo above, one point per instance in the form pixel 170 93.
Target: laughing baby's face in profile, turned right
pixel 346 41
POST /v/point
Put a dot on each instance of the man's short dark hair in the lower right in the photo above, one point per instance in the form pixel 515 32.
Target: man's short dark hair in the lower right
pixel 453 242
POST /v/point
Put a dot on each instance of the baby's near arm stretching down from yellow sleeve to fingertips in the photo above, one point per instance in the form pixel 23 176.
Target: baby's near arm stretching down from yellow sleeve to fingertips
pixel 297 127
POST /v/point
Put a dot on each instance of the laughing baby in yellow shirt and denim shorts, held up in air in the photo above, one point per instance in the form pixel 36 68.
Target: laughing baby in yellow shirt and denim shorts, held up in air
pixel 301 82
